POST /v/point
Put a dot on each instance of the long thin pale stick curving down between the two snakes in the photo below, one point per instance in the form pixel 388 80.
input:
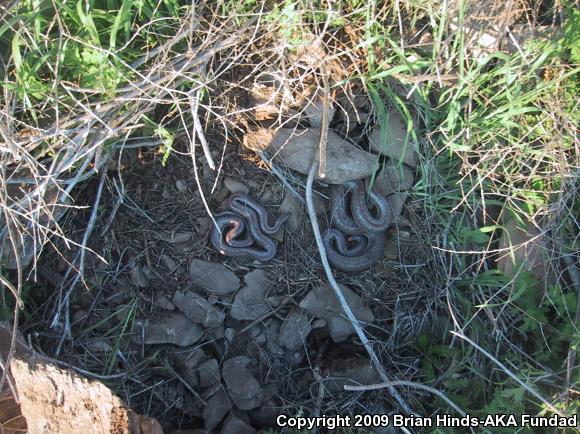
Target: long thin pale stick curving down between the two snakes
pixel 347 310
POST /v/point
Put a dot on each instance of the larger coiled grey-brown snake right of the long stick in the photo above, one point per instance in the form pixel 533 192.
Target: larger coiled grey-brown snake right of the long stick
pixel 357 240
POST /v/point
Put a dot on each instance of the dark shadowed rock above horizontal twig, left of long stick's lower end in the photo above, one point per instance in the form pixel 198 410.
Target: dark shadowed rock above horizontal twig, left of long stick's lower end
pixel 353 371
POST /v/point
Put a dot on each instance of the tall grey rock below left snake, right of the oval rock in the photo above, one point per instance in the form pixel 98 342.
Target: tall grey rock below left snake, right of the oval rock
pixel 250 301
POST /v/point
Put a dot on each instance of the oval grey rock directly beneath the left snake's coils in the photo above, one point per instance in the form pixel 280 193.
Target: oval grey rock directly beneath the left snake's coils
pixel 213 277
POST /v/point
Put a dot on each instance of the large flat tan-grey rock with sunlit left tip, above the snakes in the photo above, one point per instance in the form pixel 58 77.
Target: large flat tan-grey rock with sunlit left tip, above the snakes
pixel 297 148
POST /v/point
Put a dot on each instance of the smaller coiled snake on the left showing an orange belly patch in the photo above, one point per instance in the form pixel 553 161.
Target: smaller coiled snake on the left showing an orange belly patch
pixel 244 230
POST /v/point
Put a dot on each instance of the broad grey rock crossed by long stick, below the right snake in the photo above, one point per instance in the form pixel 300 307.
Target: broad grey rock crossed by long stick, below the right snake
pixel 321 302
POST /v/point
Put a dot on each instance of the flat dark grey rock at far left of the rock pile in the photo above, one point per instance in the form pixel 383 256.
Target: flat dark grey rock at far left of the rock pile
pixel 173 328
